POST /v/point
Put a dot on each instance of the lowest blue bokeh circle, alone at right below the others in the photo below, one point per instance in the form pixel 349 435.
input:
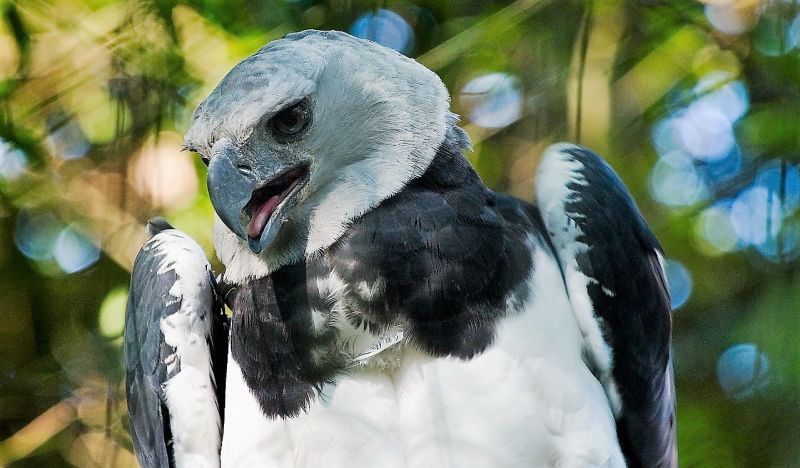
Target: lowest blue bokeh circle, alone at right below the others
pixel 743 371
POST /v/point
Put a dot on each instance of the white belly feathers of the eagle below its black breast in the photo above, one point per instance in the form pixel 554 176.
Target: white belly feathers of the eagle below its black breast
pixel 528 400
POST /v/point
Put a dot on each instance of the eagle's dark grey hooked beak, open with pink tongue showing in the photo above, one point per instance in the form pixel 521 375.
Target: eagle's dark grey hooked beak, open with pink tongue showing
pixel 252 201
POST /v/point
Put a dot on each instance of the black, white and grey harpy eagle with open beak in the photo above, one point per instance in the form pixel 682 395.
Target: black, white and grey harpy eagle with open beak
pixel 389 310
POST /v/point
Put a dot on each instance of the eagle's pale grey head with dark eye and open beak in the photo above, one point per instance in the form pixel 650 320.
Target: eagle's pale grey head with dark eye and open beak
pixel 308 134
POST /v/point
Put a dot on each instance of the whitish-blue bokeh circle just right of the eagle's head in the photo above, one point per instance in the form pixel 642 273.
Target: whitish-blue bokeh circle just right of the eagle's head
pixel 493 100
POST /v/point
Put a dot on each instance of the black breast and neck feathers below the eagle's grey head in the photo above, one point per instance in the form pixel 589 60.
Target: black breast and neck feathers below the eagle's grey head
pixel 440 260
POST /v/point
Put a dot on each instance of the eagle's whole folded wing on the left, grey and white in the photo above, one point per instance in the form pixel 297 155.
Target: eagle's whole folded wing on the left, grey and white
pixel 176 345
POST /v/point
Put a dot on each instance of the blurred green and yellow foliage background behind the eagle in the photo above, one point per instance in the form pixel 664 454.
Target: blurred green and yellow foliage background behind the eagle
pixel 695 104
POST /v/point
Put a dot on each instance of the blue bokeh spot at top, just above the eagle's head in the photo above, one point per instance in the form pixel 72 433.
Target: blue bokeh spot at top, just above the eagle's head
pixel 385 27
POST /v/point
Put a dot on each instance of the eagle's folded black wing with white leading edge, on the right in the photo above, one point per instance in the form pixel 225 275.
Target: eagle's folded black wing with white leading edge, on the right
pixel 613 269
